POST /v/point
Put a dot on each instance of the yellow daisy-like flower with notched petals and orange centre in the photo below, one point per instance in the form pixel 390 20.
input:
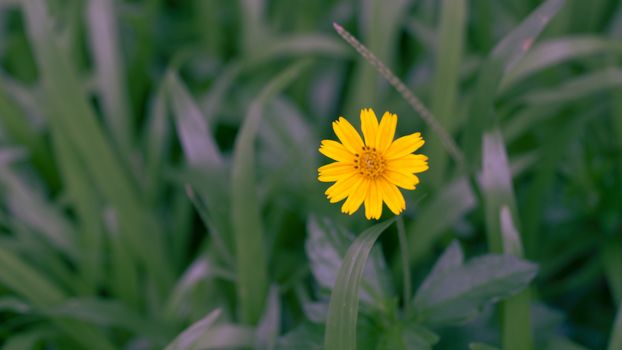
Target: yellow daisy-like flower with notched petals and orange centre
pixel 370 171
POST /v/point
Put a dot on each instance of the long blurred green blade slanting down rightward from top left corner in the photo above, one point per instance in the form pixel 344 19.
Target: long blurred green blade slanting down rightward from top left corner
pixel 69 110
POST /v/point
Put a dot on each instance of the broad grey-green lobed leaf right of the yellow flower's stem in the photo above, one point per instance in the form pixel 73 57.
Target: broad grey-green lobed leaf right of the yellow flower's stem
pixel 453 294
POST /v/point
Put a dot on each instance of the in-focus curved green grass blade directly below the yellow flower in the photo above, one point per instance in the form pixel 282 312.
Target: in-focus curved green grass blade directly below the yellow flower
pixel 343 307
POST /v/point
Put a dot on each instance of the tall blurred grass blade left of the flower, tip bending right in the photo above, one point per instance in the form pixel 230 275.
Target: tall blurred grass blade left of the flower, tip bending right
pixel 245 209
